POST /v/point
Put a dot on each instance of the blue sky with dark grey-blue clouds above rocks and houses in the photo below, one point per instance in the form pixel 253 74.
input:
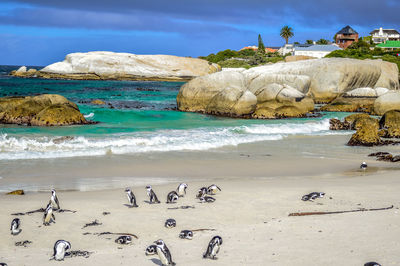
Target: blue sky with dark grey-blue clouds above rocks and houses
pixel 41 32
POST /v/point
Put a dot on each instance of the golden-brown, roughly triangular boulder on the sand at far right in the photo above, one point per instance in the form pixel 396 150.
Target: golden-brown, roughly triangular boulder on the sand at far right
pixel 366 134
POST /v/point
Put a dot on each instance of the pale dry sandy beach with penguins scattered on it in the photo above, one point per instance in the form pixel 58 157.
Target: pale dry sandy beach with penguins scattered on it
pixel 250 213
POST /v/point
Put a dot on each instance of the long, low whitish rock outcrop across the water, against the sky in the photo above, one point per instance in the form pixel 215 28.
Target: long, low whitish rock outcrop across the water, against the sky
pixel 124 66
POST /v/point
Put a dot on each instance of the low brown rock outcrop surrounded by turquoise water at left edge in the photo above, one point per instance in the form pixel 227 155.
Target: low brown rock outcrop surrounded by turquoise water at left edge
pixel 42 110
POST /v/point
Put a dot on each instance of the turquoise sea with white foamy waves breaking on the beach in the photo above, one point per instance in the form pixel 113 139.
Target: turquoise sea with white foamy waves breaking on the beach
pixel 139 117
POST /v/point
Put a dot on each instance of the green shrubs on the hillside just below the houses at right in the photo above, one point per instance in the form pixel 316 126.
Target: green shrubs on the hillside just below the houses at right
pixel 362 50
